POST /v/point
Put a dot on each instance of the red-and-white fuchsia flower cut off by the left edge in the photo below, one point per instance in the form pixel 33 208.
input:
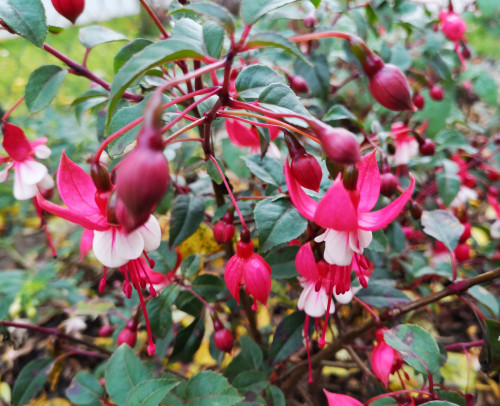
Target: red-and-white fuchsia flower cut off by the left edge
pixel 30 176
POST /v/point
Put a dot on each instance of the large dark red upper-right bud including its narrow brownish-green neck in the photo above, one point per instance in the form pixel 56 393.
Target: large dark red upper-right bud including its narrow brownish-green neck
pixel 387 84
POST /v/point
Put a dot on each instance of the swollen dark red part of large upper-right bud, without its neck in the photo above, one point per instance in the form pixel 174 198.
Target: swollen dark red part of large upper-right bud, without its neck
pixel 390 88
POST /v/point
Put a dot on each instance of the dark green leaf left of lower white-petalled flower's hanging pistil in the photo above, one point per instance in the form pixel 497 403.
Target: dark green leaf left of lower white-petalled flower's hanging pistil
pixel 288 337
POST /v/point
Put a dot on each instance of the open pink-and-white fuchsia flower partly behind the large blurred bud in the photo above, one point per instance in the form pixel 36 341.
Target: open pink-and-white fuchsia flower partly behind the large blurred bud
pixel 112 246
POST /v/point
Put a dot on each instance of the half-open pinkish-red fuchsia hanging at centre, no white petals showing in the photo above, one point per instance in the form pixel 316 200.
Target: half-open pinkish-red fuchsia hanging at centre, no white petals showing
pixel 249 269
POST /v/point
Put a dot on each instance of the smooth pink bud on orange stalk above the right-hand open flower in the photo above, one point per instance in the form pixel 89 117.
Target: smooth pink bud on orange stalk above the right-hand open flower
pixel 339 145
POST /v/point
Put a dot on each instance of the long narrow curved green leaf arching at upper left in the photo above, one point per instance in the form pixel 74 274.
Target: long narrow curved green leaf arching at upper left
pixel 154 55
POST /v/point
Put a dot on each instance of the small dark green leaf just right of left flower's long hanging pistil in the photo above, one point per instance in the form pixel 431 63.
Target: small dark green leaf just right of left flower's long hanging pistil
pixel 159 310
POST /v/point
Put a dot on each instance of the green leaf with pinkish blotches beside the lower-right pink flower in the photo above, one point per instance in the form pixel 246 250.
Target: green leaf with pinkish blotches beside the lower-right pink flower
pixel 417 347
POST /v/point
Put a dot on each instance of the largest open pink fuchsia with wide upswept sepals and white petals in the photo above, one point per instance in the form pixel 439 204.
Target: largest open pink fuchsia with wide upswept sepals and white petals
pixel 345 214
